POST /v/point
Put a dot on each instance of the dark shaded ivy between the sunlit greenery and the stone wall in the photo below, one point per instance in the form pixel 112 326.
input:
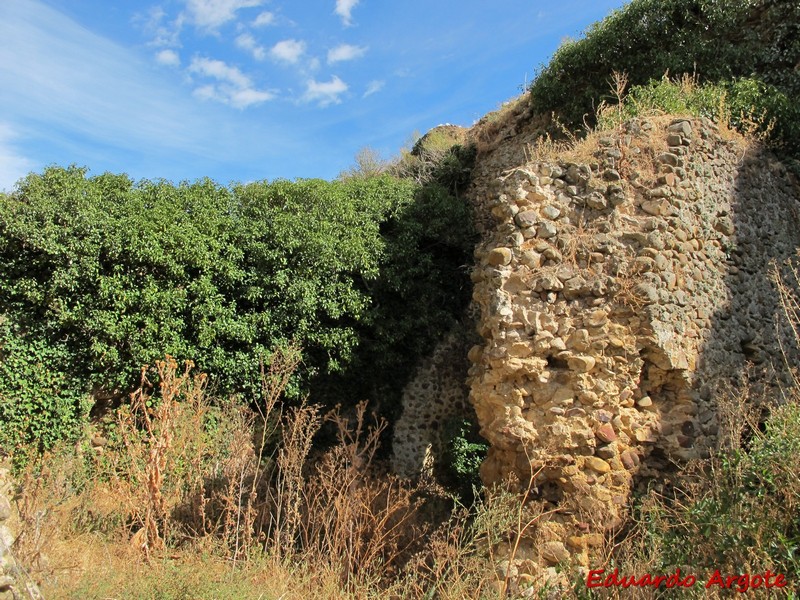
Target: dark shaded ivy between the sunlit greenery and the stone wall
pixel 423 285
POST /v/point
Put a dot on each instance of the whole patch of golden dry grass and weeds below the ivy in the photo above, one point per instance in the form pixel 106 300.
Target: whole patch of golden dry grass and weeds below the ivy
pixel 197 499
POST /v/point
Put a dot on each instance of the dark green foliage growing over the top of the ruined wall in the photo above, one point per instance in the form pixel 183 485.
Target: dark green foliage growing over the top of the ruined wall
pixel 718 41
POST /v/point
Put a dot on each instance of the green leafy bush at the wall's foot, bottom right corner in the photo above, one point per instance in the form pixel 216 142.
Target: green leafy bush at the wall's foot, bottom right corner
pixel 737 513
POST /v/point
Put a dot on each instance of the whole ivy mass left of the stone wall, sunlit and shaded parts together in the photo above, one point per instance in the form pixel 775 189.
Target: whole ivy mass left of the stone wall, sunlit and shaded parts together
pixel 100 275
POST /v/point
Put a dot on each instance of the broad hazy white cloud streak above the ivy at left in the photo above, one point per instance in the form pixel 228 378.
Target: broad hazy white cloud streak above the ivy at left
pixel 73 96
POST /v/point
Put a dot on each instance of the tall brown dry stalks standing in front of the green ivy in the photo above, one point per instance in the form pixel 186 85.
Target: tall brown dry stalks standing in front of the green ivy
pixel 242 480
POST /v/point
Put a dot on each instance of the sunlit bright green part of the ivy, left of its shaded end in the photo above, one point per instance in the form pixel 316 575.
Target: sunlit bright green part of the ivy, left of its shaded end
pixel 126 272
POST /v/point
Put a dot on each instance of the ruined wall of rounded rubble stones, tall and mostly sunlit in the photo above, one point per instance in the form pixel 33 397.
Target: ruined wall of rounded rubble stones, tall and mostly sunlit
pixel 620 292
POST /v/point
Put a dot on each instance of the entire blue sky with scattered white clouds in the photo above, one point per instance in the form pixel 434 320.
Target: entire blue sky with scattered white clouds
pixel 241 90
